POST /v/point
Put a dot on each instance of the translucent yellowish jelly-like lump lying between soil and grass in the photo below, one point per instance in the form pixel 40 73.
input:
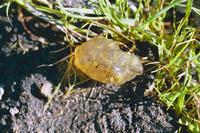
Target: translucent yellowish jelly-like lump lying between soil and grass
pixel 101 59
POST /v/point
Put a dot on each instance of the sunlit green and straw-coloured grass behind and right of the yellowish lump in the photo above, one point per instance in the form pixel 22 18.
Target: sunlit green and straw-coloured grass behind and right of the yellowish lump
pixel 178 74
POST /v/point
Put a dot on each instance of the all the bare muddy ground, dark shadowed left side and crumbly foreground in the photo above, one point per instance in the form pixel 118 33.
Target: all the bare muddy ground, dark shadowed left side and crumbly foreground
pixel 92 108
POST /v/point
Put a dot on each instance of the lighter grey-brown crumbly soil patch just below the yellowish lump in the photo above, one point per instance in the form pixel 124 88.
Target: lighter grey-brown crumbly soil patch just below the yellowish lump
pixel 99 109
